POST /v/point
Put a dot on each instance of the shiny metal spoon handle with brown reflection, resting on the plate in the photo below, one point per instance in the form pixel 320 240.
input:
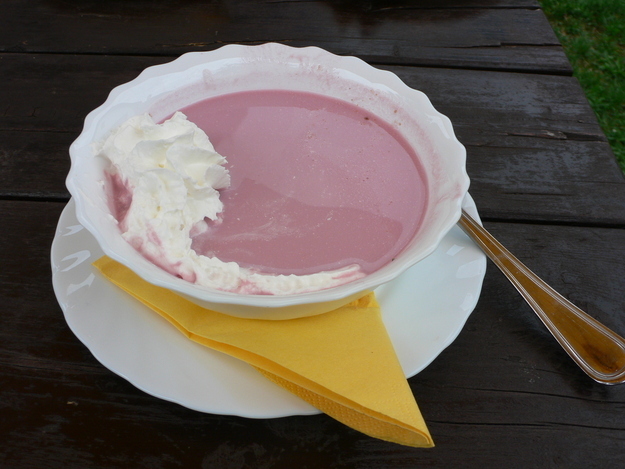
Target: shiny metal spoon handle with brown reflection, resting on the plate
pixel 595 348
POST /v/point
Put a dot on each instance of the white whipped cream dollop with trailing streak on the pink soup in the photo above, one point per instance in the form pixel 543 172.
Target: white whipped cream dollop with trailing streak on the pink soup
pixel 174 175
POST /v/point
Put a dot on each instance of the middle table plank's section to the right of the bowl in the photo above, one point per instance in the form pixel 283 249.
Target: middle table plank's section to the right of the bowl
pixel 535 150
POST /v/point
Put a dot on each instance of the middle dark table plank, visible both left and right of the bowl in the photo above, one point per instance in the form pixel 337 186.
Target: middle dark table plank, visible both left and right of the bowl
pixel 535 149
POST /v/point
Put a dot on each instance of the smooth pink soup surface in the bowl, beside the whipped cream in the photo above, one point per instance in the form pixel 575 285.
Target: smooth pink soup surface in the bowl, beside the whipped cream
pixel 317 183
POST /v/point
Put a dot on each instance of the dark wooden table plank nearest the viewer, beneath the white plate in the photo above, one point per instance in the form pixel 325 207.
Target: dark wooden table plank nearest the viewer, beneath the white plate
pixel 503 390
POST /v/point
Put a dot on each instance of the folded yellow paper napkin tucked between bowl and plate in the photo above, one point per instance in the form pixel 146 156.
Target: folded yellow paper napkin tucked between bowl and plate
pixel 341 362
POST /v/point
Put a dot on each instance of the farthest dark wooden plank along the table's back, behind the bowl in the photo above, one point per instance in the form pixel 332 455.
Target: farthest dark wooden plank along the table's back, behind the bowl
pixel 387 32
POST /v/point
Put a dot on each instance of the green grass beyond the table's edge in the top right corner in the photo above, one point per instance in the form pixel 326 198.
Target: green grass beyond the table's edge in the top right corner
pixel 592 33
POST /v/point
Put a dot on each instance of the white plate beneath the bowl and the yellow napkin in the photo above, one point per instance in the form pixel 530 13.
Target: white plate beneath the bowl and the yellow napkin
pixel 423 310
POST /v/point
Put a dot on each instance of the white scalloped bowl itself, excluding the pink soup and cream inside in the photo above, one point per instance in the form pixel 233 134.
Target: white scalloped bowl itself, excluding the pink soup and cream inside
pixel 163 89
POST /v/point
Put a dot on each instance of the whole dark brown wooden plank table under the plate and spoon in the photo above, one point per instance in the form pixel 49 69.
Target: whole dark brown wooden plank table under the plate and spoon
pixel 503 394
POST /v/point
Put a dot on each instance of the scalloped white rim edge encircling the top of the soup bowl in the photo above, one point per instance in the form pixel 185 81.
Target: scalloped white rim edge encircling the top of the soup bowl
pixel 159 277
